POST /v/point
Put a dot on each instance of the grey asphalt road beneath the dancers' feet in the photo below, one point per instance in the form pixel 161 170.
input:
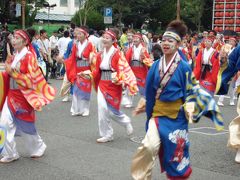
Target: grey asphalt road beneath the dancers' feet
pixel 73 154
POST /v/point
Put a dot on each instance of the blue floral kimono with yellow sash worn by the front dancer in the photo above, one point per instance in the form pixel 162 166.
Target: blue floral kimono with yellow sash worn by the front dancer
pixel 173 131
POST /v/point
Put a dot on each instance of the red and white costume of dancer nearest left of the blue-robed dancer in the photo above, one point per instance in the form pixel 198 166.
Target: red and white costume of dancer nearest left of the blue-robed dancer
pixel 109 91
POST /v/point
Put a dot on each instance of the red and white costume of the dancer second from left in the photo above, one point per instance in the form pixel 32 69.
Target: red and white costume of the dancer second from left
pixel 80 61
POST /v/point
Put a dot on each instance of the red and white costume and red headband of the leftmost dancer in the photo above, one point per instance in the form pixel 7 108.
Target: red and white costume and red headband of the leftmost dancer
pixel 24 91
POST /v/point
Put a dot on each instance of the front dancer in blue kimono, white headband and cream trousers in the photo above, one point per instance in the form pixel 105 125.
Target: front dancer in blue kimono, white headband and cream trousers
pixel 170 87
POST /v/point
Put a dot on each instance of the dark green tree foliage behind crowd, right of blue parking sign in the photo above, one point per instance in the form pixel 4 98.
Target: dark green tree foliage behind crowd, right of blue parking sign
pixel 159 12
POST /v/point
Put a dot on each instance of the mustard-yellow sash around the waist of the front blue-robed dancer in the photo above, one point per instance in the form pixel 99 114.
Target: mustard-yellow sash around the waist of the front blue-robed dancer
pixel 169 109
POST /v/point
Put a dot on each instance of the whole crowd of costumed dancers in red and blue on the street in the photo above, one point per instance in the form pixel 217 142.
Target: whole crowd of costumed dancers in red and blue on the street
pixel 176 75
